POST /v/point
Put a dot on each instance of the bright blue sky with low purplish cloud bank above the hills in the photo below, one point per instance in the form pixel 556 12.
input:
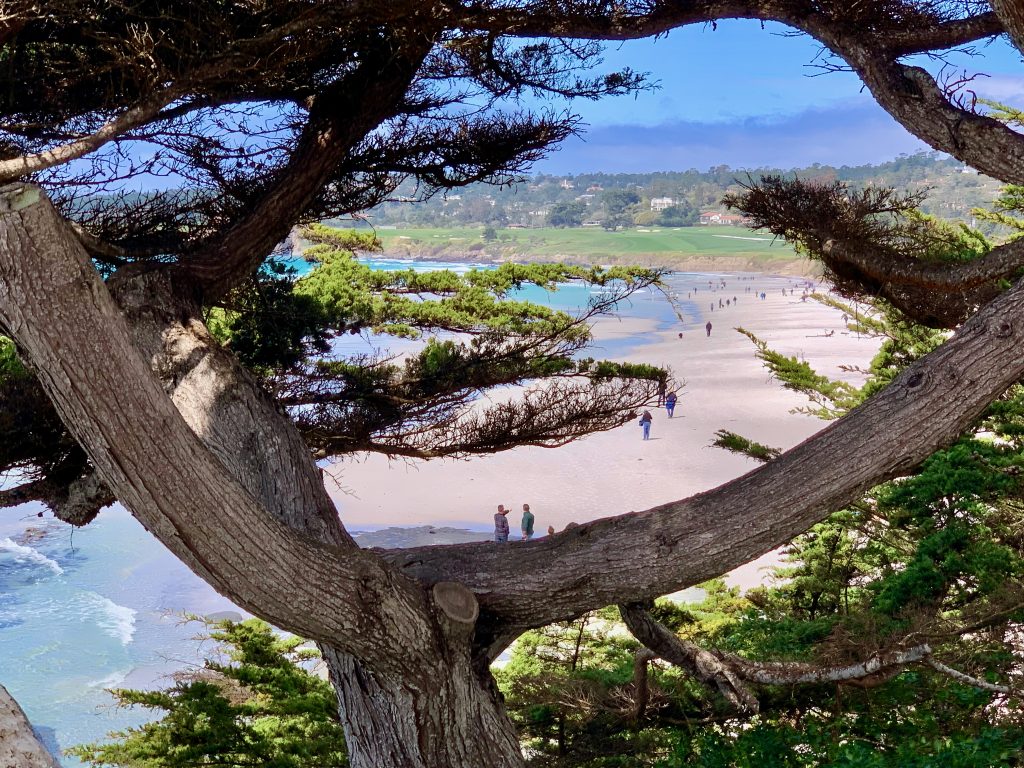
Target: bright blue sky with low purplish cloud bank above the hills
pixel 747 98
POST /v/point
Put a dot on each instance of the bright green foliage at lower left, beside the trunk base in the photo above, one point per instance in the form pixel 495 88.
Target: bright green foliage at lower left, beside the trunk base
pixel 262 708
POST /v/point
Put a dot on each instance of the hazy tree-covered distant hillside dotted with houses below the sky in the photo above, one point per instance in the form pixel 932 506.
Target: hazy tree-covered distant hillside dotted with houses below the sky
pixel 672 198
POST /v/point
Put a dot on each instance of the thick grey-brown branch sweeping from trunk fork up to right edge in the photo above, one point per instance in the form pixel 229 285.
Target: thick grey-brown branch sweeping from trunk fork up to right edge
pixel 647 554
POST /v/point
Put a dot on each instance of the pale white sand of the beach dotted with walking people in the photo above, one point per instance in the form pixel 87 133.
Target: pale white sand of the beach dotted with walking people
pixel 614 473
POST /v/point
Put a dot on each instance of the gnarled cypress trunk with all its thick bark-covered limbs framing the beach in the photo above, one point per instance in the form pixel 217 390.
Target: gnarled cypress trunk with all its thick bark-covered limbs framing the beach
pixel 186 440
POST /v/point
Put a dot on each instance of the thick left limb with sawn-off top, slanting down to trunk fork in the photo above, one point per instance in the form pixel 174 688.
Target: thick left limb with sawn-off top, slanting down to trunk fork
pixel 55 306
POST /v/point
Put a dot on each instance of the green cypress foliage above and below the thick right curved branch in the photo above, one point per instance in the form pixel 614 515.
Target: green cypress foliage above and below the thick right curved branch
pixel 936 557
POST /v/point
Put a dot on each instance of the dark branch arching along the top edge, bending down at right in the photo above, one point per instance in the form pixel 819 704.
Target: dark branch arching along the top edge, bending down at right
pixel 909 94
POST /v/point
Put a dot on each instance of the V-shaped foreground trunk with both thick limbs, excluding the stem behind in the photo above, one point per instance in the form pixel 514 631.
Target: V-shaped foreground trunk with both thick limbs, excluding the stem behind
pixel 419 694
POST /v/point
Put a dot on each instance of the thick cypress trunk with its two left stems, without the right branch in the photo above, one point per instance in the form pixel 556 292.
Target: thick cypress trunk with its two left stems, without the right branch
pixel 214 472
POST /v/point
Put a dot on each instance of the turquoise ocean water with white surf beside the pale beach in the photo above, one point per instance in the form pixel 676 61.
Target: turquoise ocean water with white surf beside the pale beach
pixel 88 610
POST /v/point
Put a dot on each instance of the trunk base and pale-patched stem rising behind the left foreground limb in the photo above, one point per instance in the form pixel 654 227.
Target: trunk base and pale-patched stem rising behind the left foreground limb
pixel 389 720
